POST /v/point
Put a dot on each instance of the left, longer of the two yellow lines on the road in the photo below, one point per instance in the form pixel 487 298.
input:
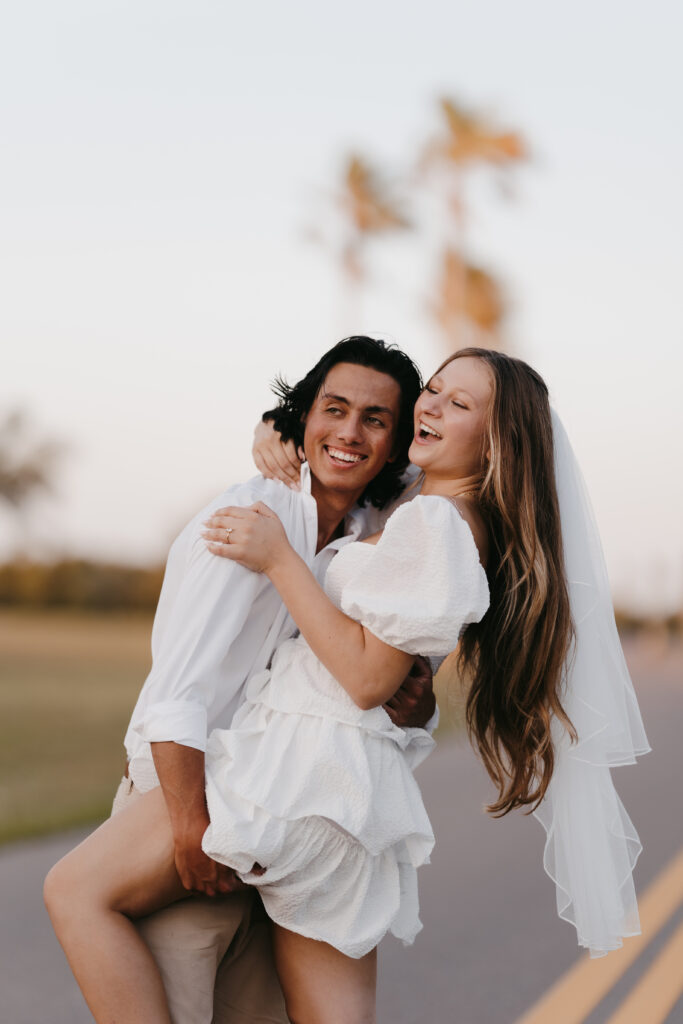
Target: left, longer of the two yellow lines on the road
pixel 577 994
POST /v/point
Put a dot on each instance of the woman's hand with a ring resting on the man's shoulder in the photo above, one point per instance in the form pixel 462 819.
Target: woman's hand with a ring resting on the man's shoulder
pixel 254 537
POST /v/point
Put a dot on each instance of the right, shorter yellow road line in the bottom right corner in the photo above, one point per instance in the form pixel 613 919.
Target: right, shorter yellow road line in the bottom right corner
pixel 657 993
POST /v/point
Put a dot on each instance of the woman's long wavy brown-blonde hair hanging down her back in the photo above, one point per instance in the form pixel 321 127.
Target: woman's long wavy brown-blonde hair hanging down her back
pixel 514 659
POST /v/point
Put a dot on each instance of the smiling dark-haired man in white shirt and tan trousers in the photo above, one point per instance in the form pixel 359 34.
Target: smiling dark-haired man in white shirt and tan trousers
pixel 218 624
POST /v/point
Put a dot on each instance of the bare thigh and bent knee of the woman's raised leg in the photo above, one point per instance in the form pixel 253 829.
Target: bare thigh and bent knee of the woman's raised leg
pixel 129 864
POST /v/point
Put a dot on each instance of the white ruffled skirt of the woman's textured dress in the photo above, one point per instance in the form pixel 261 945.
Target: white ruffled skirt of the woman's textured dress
pixel 322 795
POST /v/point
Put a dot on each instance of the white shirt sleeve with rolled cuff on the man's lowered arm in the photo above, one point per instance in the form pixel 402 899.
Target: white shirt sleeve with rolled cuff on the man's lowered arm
pixel 211 604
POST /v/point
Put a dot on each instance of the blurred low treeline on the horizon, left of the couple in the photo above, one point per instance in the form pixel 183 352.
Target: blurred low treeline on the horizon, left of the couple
pixel 80 584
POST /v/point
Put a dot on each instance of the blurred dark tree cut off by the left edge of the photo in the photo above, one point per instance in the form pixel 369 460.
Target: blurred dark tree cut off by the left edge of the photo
pixel 26 465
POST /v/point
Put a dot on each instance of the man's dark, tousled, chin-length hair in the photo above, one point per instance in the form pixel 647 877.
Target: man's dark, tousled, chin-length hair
pixel 296 401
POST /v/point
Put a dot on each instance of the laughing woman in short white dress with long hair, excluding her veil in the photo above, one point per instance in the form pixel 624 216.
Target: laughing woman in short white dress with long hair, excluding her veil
pixel 311 793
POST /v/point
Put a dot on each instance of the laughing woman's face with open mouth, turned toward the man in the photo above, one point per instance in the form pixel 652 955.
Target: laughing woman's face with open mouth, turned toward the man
pixel 451 419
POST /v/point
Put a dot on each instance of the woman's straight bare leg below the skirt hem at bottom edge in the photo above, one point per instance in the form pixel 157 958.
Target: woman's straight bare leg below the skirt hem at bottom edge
pixel 322 986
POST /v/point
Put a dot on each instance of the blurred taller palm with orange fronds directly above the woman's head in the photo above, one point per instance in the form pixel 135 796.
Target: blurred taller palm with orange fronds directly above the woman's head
pixel 468 307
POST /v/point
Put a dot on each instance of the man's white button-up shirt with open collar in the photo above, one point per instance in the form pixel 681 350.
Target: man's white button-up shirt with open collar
pixel 218 623
